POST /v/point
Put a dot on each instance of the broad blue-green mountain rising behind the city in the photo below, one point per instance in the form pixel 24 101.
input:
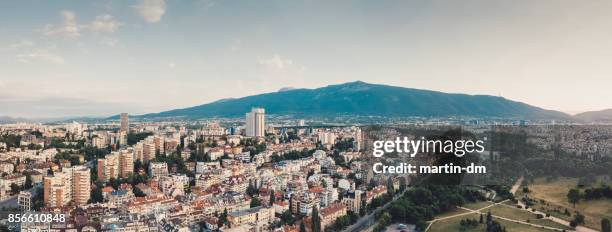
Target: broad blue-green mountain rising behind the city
pixel 365 99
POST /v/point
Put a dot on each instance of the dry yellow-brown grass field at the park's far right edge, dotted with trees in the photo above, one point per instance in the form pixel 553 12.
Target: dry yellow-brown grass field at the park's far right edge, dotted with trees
pixel 555 195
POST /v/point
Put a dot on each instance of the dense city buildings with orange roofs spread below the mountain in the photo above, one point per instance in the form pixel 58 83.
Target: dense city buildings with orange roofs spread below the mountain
pixel 228 175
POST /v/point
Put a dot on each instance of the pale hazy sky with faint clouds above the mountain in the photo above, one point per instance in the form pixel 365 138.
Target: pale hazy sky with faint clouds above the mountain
pixel 99 58
